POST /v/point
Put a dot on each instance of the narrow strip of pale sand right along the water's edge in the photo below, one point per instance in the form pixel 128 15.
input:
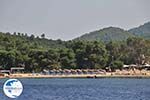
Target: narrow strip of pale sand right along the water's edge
pixel 74 76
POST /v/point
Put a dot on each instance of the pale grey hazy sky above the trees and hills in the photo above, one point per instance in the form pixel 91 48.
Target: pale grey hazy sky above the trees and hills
pixel 67 19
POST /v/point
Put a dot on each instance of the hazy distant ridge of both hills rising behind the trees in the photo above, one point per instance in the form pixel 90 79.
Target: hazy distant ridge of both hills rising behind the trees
pixel 117 34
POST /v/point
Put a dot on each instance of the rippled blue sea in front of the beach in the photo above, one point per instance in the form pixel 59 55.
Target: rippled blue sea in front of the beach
pixel 83 89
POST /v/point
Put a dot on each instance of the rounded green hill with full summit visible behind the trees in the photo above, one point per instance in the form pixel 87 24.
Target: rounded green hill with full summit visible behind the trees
pixel 107 35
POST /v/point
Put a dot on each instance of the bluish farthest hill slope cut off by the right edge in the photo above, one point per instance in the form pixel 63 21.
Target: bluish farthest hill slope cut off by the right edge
pixel 142 31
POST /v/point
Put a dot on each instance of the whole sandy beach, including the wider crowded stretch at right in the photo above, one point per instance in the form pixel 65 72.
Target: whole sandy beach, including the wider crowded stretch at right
pixel 121 74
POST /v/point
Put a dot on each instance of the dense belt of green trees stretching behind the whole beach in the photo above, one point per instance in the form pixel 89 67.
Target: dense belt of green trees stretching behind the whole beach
pixel 36 54
